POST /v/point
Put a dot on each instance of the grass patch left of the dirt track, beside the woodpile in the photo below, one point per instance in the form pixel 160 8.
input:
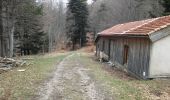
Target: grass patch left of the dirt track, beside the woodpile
pixel 16 85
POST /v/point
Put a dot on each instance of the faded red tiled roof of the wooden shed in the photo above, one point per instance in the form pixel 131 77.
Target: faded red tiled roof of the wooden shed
pixel 144 27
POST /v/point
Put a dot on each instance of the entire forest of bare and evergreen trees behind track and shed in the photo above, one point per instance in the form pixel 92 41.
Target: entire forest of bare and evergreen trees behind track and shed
pixel 40 26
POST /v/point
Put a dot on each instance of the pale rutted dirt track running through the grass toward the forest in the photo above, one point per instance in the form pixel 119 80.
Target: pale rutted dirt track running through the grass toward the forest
pixel 72 81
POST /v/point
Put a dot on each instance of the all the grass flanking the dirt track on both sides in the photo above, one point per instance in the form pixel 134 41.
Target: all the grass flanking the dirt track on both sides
pixel 16 85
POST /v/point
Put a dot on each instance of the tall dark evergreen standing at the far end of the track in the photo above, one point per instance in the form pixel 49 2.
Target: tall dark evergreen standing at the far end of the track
pixel 77 17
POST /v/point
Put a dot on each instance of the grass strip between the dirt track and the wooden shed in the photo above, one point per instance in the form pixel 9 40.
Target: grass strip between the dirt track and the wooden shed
pixel 124 88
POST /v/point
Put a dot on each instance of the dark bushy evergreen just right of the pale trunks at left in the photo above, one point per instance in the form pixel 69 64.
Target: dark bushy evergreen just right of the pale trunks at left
pixel 28 32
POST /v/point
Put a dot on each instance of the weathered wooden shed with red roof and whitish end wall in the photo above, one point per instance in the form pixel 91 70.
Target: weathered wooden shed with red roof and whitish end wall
pixel 142 48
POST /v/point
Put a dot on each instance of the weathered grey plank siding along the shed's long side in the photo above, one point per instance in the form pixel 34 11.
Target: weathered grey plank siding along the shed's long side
pixel 138 54
